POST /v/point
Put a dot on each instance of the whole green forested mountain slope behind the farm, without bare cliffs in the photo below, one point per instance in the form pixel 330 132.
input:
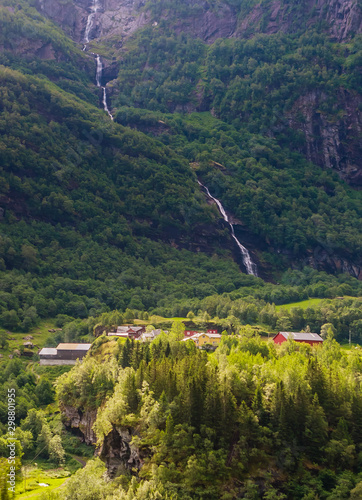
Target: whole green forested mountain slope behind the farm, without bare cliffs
pixel 98 215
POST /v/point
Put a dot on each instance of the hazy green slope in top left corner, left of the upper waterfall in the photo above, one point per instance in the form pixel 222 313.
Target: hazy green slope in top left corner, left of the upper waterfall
pixel 34 45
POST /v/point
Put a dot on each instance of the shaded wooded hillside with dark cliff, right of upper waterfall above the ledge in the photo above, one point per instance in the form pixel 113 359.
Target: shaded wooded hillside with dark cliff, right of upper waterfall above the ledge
pixel 303 91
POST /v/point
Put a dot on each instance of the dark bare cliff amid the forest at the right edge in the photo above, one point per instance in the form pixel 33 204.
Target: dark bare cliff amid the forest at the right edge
pixel 333 137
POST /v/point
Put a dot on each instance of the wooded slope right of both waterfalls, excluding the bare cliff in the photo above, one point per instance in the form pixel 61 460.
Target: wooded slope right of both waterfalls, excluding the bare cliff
pixel 278 195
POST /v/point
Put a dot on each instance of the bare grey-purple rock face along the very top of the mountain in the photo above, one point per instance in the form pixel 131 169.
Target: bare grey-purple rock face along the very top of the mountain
pixel 120 18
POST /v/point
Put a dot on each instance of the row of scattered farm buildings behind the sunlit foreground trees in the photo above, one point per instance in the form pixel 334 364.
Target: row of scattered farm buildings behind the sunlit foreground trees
pixel 67 354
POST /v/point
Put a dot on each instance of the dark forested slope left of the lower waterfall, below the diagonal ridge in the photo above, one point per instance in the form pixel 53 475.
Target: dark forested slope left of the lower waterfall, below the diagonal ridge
pixel 79 195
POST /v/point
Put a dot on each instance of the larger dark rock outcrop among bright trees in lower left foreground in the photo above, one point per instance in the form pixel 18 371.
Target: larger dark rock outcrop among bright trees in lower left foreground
pixel 119 453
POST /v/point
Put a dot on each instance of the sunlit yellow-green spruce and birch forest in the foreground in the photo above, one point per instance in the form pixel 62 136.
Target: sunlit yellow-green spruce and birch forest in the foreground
pixel 251 421
